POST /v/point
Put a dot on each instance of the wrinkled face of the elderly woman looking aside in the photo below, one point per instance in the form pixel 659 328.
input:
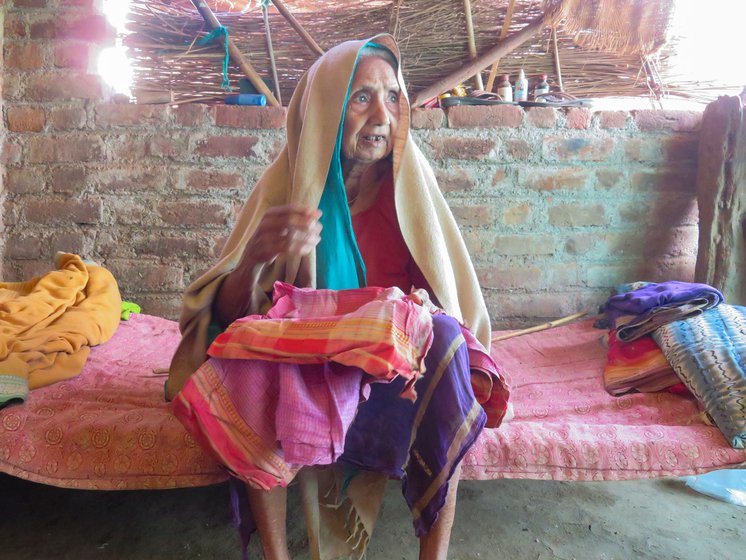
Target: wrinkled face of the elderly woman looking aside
pixel 372 113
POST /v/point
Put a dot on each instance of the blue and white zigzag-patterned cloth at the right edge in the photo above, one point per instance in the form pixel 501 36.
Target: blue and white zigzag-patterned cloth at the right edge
pixel 708 353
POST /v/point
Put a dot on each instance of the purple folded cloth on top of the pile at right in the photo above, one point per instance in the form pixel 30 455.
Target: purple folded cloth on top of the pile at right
pixel 670 294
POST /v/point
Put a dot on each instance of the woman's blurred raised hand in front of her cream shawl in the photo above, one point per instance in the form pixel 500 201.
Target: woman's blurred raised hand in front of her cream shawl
pixel 289 230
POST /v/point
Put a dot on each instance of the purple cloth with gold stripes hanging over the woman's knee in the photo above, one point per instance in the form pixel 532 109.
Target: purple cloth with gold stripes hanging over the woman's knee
pixel 420 442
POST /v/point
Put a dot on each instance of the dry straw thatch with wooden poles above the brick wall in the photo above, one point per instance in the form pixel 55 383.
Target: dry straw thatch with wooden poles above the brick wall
pixel 431 33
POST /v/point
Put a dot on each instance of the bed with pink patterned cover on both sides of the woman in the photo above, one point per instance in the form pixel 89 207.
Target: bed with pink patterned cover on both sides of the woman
pixel 110 428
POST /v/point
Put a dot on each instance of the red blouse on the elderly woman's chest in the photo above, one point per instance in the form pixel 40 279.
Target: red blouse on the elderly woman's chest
pixel 382 246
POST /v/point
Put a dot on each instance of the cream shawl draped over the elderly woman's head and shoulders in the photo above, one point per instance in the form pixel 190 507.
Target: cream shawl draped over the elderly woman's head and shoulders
pixel 298 176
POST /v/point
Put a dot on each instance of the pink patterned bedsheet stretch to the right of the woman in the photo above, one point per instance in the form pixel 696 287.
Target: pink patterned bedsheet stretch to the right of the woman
pixel 567 427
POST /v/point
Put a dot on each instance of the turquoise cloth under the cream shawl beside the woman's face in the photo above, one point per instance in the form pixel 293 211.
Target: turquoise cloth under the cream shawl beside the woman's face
pixel 339 264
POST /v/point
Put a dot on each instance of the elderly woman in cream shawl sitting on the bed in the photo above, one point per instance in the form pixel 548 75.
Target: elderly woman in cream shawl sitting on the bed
pixel 350 202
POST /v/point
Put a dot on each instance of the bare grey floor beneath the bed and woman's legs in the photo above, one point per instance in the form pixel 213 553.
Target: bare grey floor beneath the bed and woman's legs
pixel 507 519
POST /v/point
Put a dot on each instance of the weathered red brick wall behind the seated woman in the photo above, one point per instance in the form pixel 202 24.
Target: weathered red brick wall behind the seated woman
pixel 556 206
